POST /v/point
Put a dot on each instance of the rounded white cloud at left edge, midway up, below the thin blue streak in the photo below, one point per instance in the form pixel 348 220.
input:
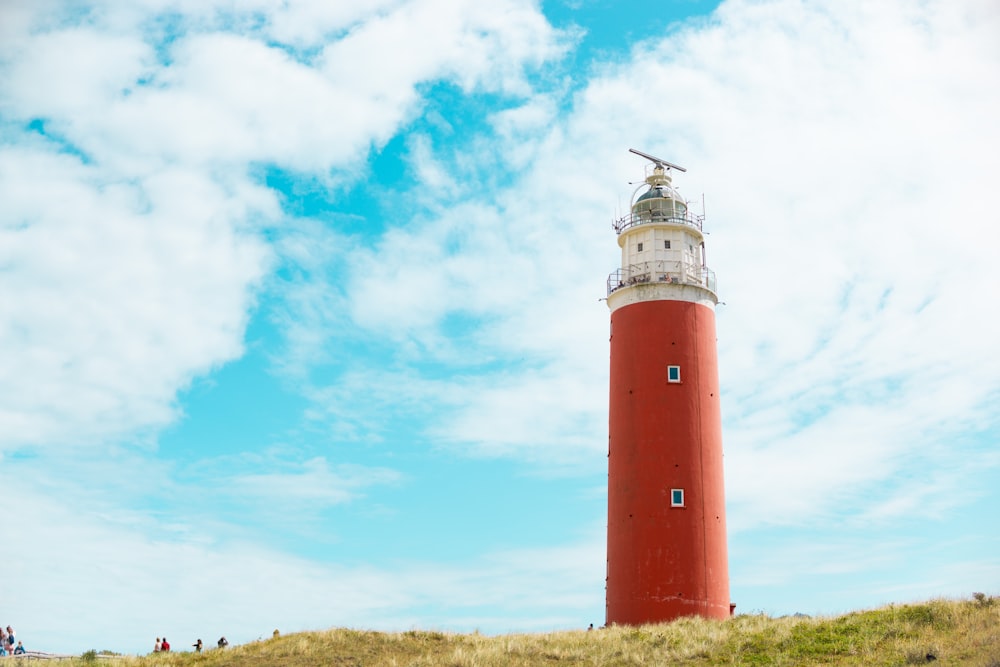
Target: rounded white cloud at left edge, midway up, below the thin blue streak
pixel 117 293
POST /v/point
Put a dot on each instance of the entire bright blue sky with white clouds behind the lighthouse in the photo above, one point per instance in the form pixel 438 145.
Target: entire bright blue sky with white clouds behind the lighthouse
pixel 301 311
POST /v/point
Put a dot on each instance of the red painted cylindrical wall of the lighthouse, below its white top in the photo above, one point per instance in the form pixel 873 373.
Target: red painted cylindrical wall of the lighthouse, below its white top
pixel 665 562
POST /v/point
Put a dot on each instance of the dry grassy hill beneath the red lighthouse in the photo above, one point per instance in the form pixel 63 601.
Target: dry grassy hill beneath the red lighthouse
pixel 942 632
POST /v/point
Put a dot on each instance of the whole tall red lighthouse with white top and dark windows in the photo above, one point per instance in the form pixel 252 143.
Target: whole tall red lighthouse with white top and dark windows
pixel 666 502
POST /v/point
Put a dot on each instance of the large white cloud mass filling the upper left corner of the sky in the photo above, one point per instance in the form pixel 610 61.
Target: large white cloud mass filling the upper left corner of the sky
pixel 130 229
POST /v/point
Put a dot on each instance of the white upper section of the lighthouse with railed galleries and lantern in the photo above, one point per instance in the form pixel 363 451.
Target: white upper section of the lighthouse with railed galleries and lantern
pixel 663 247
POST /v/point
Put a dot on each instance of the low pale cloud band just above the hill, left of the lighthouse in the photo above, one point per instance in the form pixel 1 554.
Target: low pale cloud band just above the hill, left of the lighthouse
pixel 197 587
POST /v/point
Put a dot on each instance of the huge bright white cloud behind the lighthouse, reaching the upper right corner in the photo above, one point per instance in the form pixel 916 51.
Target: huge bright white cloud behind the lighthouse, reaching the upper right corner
pixel 842 155
